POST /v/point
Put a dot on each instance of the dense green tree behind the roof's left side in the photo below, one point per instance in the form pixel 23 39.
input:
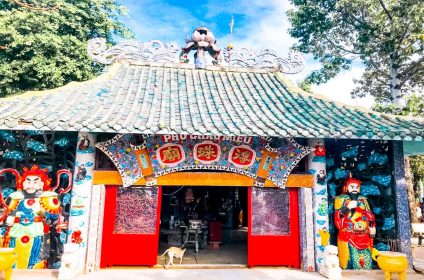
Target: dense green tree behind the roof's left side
pixel 43 42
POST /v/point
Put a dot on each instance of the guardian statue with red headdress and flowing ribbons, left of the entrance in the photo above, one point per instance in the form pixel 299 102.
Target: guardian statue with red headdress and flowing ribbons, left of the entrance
pixel 32 215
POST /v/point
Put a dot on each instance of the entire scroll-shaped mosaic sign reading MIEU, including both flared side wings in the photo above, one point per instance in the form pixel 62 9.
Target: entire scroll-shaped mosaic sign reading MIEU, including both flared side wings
pixel 173 153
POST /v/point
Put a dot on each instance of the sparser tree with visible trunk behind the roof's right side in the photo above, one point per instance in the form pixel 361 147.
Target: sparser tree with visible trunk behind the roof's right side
pixel 387 36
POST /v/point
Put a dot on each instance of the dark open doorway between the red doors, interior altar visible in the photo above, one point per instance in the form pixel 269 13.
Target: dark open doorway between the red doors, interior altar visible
pixel 210 222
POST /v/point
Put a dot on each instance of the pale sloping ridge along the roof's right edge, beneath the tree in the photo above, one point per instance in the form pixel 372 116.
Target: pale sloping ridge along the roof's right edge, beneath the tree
pixel 295 89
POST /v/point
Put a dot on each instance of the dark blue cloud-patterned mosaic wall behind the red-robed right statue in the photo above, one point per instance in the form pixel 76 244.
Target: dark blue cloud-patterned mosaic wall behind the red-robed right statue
pixel 370 162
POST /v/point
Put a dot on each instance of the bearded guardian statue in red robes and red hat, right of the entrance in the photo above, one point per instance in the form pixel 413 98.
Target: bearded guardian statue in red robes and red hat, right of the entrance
pixel 356 225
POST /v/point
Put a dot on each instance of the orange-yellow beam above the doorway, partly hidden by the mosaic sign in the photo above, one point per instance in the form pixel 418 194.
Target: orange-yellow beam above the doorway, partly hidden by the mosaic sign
pixel 218 179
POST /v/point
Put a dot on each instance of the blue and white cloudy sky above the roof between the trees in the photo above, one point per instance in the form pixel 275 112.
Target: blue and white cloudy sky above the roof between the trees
pixel 258 24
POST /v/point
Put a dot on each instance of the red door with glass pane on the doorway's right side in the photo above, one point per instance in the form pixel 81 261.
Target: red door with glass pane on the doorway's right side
pixel 273 227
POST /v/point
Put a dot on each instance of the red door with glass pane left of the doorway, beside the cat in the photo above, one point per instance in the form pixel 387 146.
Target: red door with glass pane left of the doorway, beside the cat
pixel 131 226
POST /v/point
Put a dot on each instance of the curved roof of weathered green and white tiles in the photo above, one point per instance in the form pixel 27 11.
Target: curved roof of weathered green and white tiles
pixel 175 98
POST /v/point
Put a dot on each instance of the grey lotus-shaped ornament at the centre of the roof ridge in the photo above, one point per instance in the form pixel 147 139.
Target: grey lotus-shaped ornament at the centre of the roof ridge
pixel 201 40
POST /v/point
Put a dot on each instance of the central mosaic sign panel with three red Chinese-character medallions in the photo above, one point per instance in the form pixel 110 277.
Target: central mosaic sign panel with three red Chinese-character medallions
pixel 183 152
